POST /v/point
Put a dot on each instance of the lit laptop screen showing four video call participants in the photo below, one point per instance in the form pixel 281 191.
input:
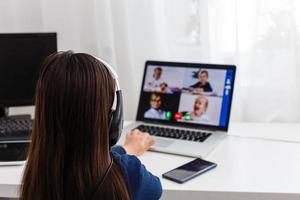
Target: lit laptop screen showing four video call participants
pixel 196 95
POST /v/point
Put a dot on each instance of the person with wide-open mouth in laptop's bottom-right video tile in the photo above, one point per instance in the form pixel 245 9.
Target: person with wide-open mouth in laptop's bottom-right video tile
pixel 199 110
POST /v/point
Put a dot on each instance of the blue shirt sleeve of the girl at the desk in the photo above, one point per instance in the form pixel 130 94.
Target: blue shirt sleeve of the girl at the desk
pixel 141 184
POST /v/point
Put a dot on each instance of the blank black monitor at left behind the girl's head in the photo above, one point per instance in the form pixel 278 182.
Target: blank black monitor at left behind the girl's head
pixel 21 56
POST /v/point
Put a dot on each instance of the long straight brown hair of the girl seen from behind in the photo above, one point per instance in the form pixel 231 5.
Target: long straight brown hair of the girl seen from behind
pixel 69 150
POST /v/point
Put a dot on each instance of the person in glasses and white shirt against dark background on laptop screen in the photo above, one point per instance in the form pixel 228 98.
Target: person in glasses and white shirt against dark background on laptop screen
pixel 154 112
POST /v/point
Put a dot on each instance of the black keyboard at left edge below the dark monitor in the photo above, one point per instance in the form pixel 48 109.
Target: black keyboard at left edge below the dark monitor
pixel 17 127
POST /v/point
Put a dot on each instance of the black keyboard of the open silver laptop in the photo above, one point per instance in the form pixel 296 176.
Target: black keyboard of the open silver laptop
pixel 196 136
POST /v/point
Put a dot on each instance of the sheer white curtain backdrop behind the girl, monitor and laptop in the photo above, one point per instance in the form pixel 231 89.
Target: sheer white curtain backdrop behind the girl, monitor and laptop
pixel 260 36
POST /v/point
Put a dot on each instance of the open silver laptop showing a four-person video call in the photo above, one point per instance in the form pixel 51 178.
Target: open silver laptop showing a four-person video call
pixel 185 107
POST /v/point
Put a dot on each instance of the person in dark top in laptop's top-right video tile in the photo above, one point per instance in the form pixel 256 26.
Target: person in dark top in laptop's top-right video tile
pixel 202 85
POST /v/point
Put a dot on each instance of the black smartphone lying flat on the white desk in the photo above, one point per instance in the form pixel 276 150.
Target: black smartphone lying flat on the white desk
pixel 189 170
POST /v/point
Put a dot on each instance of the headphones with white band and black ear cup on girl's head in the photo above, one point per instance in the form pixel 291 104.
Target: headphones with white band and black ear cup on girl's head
pixel 115 115
